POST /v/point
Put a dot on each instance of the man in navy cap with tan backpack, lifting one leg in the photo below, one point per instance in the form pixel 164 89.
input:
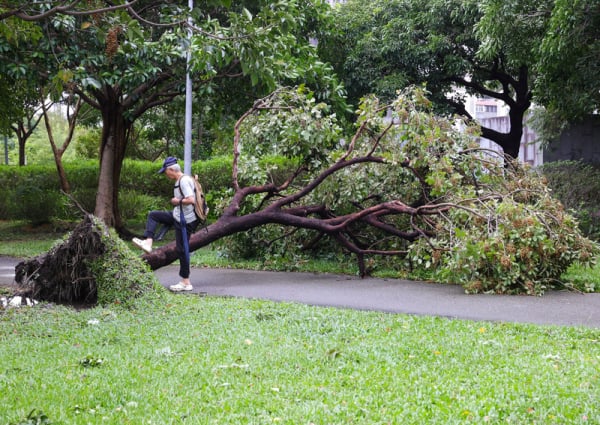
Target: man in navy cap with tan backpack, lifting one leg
pixel 183 199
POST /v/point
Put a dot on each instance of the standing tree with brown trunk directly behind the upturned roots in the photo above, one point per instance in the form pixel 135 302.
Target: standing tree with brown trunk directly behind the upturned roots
pixel 127 61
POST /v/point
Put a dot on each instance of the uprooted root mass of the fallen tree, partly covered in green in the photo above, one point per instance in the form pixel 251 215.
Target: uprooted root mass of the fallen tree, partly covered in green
pixel 91 266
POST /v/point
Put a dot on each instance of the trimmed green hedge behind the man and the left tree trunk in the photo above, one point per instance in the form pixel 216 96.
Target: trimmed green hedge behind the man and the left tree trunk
pixel 32 192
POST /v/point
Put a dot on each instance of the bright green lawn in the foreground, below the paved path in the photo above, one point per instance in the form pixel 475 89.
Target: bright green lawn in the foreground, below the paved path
pixel 208 360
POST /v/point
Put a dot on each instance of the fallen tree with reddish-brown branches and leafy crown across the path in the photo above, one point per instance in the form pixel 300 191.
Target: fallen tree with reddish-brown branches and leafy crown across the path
pixel 411 185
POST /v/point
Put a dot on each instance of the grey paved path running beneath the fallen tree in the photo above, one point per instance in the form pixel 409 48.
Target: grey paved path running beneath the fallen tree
pixel 389 295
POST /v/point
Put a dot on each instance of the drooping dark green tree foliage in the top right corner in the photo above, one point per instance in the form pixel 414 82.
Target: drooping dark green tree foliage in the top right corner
pixel 566 54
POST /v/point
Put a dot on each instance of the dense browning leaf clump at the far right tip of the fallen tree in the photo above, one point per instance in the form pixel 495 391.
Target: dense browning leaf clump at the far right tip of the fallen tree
pixel 514 250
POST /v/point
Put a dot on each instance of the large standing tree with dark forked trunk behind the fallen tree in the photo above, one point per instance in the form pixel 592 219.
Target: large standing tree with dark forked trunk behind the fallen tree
pixel 384 45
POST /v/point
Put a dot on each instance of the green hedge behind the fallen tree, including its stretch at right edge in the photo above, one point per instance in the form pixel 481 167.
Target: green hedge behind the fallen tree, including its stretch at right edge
pixel 32 192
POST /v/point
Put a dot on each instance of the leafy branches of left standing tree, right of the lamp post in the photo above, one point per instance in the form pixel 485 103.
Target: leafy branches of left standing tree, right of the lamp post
pixel 270 43
